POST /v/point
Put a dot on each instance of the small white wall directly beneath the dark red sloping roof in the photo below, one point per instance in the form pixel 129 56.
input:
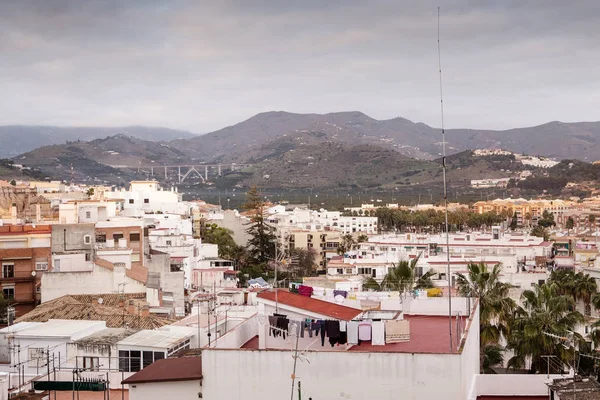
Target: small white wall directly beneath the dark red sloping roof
pixel 166 390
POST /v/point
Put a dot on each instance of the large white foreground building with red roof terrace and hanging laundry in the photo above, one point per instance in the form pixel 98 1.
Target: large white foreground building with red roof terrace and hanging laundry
pixel 426 366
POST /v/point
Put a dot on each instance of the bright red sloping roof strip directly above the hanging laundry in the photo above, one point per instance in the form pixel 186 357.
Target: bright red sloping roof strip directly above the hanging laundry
pixel 313 305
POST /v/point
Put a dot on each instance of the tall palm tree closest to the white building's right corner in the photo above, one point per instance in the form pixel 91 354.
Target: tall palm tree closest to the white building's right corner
pixel 496 309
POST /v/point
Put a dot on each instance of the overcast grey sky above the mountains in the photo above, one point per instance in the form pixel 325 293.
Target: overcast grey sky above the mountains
pixel 201 65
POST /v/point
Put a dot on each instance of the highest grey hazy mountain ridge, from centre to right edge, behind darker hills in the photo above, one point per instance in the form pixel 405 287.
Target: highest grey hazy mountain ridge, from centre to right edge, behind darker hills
pixel 240 142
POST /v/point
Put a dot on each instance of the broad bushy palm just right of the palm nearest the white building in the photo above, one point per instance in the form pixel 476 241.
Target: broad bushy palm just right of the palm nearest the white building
pixel 545 311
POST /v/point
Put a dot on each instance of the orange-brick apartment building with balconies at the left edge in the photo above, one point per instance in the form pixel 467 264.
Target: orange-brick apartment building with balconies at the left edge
pixel 25 254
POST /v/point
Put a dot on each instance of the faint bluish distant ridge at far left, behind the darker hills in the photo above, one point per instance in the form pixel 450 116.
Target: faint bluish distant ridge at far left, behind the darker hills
pixel 18 139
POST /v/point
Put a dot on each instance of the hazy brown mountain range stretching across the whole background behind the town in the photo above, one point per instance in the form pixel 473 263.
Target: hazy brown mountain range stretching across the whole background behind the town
pixel 302 150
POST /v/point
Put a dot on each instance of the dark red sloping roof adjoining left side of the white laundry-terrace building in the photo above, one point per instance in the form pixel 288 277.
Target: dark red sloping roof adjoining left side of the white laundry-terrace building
pixel 169 370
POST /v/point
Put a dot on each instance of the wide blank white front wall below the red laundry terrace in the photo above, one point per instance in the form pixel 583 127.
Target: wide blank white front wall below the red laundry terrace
pixel 265 375
